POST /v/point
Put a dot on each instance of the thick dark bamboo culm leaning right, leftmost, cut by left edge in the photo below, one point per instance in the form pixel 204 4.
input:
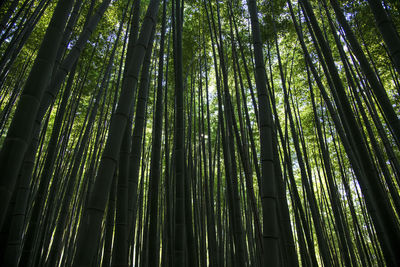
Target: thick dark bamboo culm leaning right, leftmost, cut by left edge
pixel 18 135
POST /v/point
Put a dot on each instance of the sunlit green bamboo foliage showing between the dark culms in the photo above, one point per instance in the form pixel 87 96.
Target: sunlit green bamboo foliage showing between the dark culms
pixel 276 25
